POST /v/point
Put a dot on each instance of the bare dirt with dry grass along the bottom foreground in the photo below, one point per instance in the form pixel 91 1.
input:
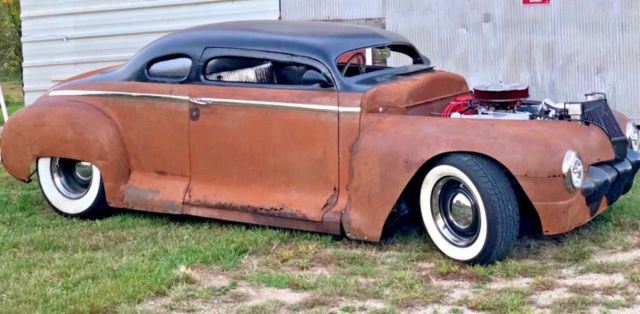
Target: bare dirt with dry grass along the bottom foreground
pixel 569 290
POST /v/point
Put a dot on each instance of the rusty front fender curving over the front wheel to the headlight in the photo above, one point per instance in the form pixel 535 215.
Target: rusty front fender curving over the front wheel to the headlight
pixel 392 148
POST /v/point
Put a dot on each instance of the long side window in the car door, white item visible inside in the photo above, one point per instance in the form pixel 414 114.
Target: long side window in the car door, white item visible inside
pixel 263 71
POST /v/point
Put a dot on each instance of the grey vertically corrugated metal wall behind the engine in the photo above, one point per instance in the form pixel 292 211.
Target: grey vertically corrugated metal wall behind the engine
pixel 562 50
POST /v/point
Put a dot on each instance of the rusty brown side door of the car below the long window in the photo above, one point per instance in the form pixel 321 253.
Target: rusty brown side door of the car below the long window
pixel 267 161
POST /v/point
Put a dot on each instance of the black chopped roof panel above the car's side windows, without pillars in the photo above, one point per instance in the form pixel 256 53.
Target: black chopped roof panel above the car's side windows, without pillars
pixel 324 41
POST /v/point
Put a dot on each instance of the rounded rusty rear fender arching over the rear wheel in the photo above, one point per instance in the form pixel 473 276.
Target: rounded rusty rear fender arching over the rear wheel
pixel 71 130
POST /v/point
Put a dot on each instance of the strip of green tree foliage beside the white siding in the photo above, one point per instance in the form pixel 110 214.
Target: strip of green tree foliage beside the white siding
pixel 10 34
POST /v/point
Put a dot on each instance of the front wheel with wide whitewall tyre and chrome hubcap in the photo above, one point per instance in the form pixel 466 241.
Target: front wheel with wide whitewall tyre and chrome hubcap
pixel 470 209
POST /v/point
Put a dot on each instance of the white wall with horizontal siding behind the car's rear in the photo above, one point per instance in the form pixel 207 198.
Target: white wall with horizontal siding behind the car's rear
pixel 62 38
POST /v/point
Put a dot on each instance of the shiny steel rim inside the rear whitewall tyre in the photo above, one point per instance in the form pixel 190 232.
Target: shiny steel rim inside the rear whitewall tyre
pixel 72 178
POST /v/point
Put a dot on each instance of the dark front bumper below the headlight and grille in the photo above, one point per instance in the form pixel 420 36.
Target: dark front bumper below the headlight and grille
pixel 610 179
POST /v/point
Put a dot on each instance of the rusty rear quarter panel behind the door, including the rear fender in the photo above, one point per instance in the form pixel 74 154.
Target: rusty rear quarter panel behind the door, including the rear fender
pixel 152 170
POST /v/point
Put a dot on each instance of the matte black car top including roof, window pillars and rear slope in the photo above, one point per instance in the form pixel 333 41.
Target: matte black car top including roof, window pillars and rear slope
pixel 322 41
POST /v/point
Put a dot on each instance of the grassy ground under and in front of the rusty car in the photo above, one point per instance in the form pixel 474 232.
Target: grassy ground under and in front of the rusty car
pixel 53 264
